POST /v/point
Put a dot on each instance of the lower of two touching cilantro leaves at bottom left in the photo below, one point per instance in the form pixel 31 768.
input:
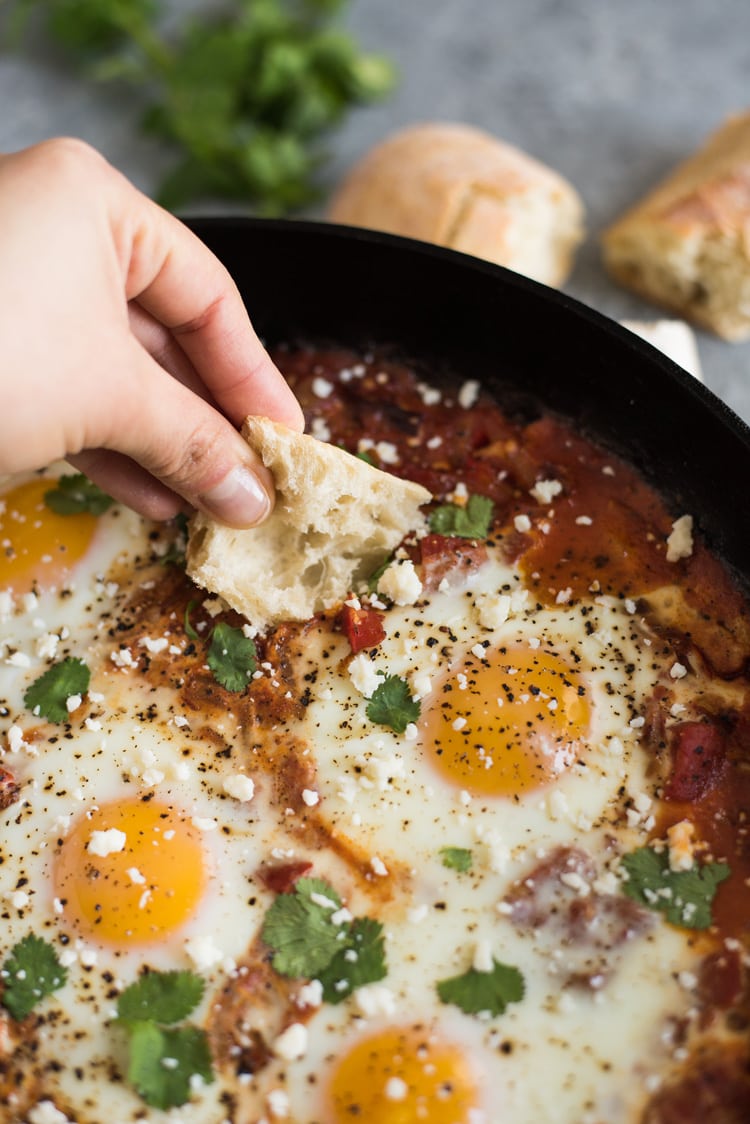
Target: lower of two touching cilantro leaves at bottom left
pixel 162 1063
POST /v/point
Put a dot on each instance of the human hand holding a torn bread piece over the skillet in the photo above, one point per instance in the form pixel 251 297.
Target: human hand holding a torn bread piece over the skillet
pixel 124 345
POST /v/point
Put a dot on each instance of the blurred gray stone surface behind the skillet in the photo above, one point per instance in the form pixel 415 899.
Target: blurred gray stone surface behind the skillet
pixel 610 94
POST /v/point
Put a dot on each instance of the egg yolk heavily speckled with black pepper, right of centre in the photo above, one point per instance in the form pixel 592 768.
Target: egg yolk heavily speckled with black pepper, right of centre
pixel 508 724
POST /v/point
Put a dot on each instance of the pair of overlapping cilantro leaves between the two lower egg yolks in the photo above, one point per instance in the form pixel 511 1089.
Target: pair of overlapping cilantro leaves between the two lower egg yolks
pixel 308 942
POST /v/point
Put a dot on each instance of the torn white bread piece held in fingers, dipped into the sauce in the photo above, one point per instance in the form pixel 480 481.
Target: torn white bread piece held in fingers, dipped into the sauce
pixel 336 520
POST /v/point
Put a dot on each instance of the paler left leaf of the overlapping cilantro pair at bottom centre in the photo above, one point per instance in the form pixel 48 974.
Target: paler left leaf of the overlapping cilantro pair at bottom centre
pixel 301 932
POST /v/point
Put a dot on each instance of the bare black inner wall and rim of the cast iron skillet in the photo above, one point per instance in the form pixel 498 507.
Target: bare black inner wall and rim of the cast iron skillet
pixel 530 343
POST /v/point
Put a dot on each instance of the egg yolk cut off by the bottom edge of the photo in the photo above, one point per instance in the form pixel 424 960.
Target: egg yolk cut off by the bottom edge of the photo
pixel 403 1077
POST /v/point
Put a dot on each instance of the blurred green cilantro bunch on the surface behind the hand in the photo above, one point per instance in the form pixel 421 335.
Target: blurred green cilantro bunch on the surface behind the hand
pixel 243 97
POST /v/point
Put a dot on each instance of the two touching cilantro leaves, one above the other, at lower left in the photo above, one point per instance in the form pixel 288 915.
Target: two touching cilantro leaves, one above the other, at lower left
pixel 162 1058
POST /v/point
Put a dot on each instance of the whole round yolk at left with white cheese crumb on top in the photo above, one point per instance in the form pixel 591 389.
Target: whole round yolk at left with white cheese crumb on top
pixel 131 873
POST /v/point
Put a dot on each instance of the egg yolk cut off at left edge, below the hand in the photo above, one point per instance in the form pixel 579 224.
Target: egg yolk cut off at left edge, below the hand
pixel 39 548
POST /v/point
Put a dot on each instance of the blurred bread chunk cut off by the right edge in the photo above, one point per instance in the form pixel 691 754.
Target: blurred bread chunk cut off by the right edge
pixel 686 244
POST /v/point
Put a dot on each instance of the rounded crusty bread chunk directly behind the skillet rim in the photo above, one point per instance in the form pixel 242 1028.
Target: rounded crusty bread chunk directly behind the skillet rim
pixel 460 187
